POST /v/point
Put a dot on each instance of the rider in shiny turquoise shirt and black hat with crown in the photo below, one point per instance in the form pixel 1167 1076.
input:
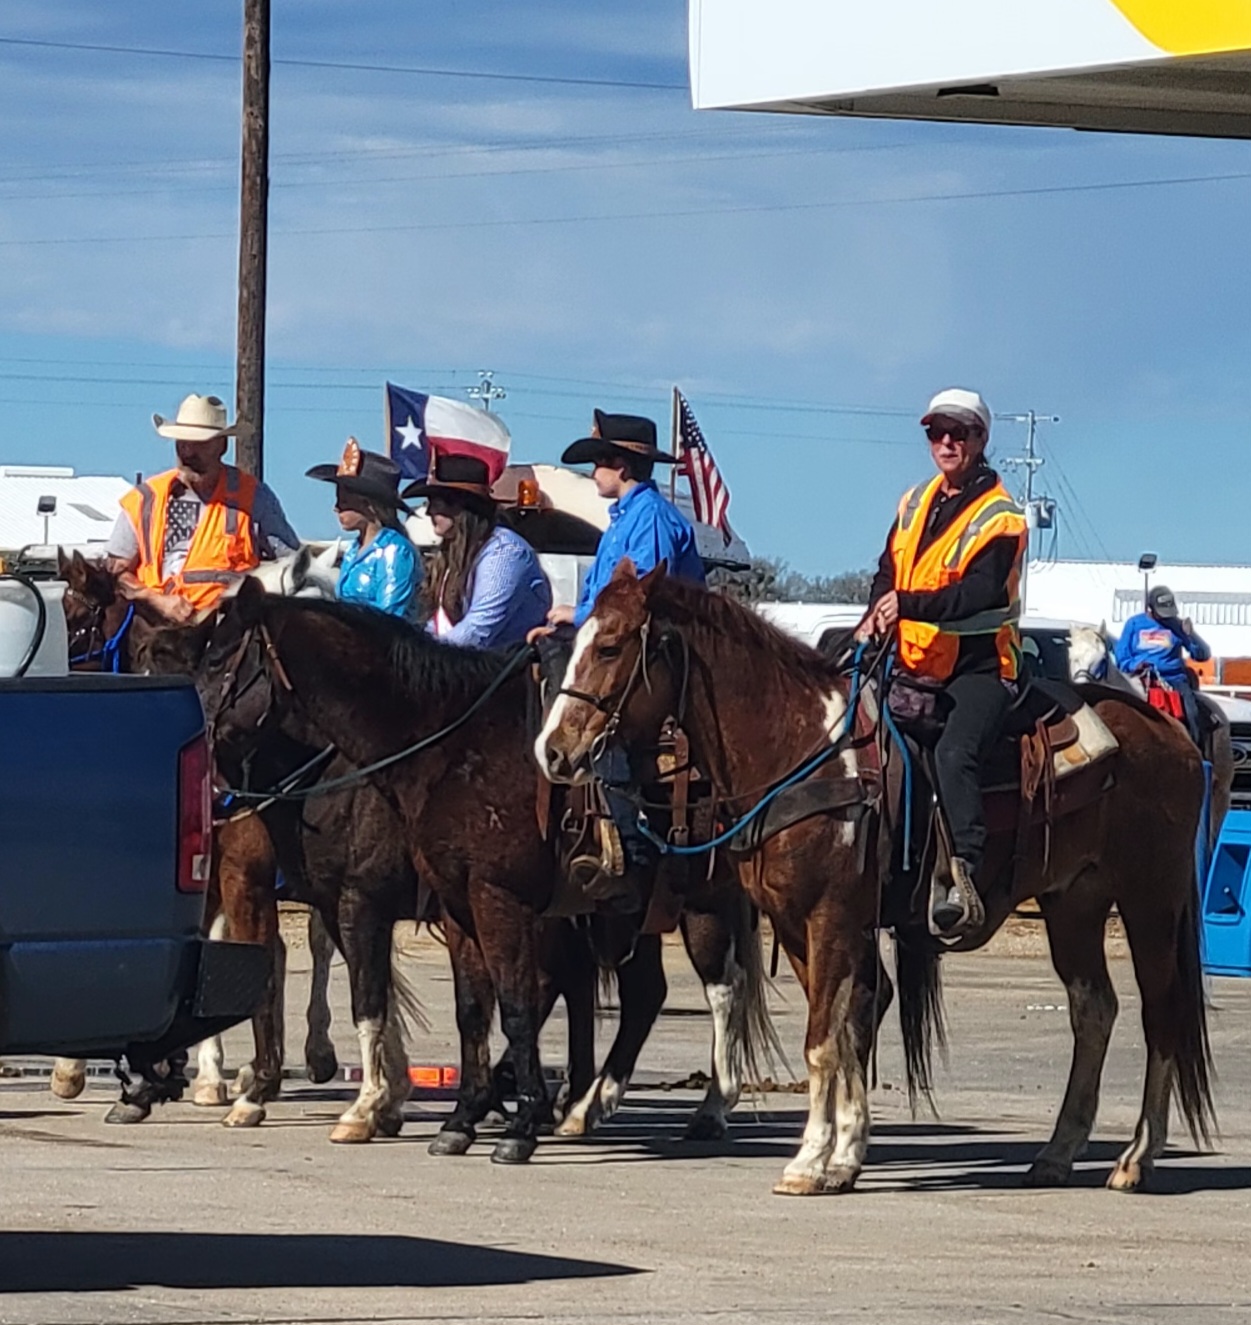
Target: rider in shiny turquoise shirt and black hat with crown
pixel 381 569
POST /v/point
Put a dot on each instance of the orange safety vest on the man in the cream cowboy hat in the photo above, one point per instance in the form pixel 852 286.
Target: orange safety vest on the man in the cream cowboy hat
pixel 222 547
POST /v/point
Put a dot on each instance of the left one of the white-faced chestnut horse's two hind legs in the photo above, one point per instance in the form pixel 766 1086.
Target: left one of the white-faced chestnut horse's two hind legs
pixel 1075 932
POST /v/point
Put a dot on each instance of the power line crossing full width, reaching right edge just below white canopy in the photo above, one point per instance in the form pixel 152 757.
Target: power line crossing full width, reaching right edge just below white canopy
pixel 749 209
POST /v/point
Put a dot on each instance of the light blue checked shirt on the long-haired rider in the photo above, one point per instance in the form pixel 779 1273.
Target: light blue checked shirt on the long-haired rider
pixel 508 596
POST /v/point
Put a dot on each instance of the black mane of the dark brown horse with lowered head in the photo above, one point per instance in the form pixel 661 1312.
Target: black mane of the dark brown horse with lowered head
pixel 421 664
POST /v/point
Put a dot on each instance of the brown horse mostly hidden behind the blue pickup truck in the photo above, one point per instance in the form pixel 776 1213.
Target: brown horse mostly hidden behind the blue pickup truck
pixel 109 633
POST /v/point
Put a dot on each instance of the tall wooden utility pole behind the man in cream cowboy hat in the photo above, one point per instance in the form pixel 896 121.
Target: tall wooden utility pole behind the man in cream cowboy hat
pixel 254 226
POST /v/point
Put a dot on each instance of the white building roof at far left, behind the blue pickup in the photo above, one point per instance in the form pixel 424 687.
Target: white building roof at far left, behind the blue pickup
pixel 87 505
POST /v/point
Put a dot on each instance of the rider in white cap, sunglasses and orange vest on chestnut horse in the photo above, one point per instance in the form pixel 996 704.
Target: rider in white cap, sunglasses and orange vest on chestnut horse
pixel 948 588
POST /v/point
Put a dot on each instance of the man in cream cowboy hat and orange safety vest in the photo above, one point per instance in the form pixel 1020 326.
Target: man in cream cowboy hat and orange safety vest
pixel 186 535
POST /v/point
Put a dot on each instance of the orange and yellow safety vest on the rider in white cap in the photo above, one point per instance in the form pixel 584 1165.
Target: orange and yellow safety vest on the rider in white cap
pixel 931 650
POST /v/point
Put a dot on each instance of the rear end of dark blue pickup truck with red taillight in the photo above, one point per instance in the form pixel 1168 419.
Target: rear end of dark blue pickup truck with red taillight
pixel 105 841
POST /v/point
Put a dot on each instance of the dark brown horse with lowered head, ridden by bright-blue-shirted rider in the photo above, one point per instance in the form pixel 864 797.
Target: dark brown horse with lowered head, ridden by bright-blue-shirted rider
pixel 317 674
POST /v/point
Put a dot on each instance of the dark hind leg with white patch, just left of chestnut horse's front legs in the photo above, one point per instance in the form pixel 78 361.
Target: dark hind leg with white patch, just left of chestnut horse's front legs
pixel 712 951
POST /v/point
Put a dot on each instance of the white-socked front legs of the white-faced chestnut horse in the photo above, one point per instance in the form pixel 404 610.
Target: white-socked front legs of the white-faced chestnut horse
pixel 842 1014
